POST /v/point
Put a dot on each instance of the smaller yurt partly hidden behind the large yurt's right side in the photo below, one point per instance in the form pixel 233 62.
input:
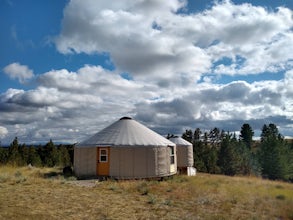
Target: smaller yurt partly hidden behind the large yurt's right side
pixel 184 153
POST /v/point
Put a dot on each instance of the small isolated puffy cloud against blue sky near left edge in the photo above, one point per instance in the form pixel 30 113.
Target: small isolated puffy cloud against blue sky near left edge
pixel 20 72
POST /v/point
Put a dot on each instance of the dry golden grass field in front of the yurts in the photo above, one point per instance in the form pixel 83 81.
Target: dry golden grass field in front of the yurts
pixel 43 193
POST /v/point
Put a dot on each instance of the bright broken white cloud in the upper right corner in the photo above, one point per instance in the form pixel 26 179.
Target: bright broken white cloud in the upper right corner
pixel 251 37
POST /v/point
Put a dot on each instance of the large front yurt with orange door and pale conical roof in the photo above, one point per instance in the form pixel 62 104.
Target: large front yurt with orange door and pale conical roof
pixel 125 149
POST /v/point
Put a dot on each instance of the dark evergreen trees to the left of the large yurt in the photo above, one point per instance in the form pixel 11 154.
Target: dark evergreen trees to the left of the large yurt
pixel 48 155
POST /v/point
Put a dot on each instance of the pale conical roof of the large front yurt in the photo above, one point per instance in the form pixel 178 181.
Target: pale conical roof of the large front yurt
pixel 126 132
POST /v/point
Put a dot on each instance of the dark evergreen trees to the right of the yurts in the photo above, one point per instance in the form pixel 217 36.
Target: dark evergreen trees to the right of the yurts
pixel 221 152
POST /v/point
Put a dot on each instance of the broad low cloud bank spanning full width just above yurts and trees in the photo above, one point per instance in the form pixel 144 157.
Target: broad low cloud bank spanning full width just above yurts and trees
pixel 68 106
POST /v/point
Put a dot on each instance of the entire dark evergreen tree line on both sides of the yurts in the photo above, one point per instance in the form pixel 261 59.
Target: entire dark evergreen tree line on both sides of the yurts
pixel 215 152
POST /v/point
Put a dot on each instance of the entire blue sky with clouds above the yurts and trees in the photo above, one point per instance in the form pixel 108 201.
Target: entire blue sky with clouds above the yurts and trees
pixel 70 68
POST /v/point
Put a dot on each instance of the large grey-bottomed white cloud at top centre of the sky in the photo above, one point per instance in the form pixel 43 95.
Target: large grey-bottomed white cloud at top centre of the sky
pixel 127 32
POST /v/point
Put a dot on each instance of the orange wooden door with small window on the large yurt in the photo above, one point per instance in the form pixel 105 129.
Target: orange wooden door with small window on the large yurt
pixel 103 159
